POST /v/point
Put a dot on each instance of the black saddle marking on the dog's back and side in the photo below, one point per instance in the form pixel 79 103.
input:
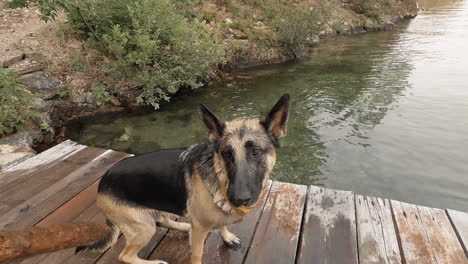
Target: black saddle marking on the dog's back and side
pixel 152 180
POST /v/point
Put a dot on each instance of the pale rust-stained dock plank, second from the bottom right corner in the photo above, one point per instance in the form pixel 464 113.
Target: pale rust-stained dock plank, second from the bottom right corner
pixel 426 235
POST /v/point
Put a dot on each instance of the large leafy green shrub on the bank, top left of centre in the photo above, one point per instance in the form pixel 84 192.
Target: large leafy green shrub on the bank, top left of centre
pixel 162 50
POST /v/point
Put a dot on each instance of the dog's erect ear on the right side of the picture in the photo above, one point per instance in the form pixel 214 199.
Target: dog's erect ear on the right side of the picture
pixel 276 121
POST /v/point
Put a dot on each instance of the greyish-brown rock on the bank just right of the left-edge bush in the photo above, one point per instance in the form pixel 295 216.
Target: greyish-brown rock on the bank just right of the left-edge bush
pixel 42 84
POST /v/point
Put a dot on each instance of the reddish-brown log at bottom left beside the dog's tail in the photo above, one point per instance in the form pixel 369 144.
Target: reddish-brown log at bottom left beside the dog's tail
pixel 36 240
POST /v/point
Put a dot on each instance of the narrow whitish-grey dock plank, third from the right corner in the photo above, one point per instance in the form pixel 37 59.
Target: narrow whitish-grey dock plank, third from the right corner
pixel 376 234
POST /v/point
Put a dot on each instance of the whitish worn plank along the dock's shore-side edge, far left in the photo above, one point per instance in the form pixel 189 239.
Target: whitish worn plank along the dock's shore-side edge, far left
pixel 37 164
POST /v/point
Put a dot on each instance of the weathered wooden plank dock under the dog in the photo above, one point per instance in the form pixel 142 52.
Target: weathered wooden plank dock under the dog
pixel 294 224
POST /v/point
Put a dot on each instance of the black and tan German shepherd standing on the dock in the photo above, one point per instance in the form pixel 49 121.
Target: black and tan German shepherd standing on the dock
pixel 213 184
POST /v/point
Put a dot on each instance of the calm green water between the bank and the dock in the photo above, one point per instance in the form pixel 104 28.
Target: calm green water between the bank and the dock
pixel 383 114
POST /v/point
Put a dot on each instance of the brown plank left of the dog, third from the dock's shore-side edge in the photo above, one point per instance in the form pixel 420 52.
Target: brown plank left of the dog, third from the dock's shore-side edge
pixel 41 204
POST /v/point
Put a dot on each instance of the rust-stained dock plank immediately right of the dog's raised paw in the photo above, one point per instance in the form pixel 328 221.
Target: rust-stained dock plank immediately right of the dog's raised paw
pixel 277 234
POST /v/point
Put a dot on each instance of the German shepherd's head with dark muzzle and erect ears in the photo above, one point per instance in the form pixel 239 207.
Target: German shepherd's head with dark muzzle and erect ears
pixel 246 150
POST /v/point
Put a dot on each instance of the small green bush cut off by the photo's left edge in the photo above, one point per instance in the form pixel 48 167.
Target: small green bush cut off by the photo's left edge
pixel 15 103
